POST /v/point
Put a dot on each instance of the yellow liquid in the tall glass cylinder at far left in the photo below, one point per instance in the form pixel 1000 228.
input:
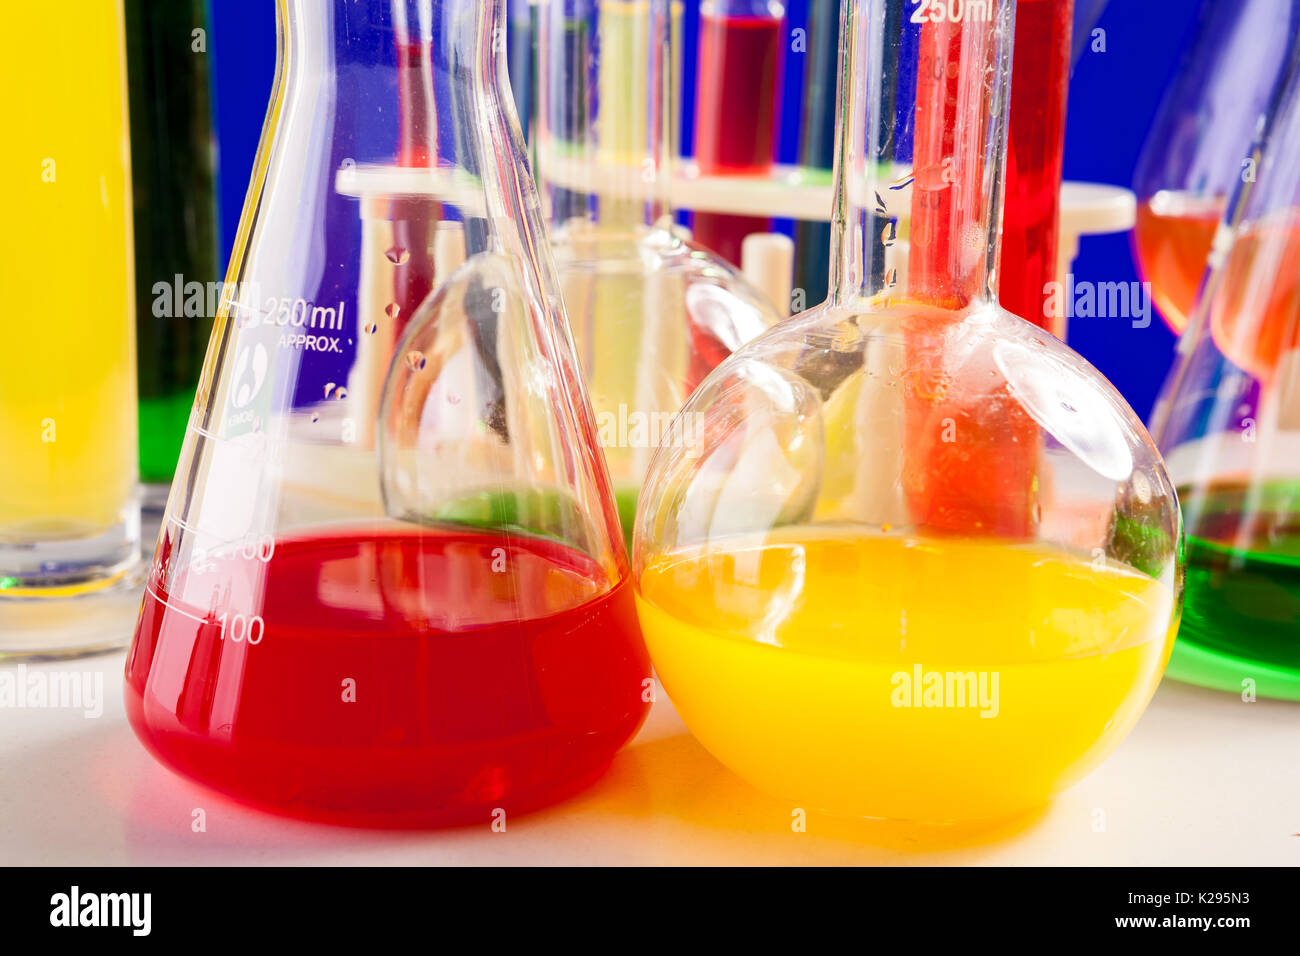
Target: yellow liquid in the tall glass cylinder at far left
pixel 68 416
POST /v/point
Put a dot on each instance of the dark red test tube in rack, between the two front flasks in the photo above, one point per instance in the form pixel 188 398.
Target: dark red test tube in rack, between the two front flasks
pixel 738 106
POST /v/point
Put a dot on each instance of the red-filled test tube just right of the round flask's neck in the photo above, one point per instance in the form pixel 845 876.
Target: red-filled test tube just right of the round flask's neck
pixel 1035 158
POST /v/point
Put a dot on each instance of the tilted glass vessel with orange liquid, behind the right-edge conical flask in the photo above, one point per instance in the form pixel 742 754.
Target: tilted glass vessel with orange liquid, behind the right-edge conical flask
pixel 1199 145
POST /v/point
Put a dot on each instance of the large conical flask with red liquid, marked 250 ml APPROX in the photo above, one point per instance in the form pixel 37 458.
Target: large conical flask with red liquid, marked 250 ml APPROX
pixel 402 602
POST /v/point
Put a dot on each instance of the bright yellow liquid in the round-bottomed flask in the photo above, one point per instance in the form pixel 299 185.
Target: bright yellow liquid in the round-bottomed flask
pixel 928 681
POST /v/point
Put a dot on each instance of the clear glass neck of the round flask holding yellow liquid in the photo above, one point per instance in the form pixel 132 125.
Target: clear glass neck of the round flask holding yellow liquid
pixel 921 150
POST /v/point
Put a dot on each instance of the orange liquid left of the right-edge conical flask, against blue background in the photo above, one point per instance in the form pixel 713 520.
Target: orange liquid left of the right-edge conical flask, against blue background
pixel 1172 241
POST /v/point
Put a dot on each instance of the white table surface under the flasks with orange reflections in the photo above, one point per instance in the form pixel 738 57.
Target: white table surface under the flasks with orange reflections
pixel 1206 778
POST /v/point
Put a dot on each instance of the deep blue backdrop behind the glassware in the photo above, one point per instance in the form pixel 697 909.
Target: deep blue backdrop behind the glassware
pixel 1113 98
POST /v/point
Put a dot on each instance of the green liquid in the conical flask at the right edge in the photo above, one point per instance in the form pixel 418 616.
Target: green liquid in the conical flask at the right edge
pixel 1242 605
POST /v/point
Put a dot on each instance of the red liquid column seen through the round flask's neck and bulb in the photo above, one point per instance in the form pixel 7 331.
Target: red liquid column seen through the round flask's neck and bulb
pixel 985 485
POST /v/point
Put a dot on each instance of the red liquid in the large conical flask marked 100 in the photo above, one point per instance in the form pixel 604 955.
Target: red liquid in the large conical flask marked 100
pixel 489 671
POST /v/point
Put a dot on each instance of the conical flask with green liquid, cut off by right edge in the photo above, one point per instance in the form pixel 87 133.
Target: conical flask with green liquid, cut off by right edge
pixel 1229 425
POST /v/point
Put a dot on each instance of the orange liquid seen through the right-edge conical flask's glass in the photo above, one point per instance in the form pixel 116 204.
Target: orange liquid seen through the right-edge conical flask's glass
pixel 1256 314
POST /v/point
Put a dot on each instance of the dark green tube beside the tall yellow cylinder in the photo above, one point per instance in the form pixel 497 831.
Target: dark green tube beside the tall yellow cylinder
pixel 175 223
